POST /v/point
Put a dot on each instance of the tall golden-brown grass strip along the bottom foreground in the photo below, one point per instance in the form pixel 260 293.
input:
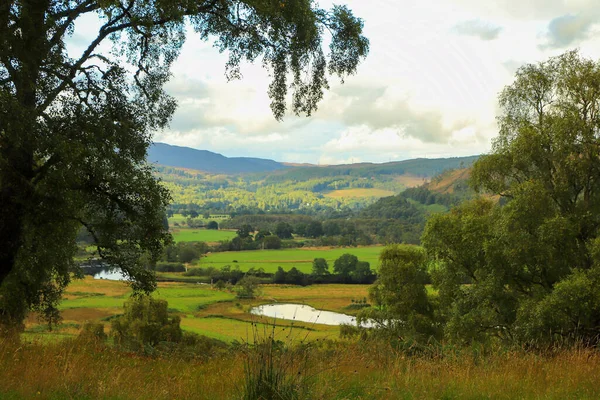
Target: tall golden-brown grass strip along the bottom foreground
pixel 329 370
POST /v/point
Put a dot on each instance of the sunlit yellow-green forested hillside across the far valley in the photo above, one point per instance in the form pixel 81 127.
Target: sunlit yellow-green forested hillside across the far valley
pixel 308 190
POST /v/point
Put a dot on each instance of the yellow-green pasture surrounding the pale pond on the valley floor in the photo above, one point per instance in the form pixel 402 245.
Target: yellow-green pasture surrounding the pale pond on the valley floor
pixel 210 312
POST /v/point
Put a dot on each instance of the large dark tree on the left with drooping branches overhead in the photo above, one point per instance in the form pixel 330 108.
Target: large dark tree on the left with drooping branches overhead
pixel 74 128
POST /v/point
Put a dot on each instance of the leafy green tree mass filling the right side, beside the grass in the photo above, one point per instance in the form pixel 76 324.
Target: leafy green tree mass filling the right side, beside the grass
pixel 531 260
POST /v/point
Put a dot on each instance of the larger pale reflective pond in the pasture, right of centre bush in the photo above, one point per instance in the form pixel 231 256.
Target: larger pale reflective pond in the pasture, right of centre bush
pixel 305 313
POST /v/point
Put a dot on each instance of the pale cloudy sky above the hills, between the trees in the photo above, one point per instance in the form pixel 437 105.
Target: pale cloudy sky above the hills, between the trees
pixel 428 87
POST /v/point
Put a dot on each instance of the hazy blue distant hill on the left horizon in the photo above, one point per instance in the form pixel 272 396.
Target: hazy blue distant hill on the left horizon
pixel 207 161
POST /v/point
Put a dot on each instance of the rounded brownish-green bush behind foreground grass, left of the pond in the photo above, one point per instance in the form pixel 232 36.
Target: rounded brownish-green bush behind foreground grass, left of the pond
pixel 145 322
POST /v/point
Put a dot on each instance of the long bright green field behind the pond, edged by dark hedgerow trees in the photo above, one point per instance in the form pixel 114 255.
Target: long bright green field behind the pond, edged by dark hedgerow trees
pixel 302 259
